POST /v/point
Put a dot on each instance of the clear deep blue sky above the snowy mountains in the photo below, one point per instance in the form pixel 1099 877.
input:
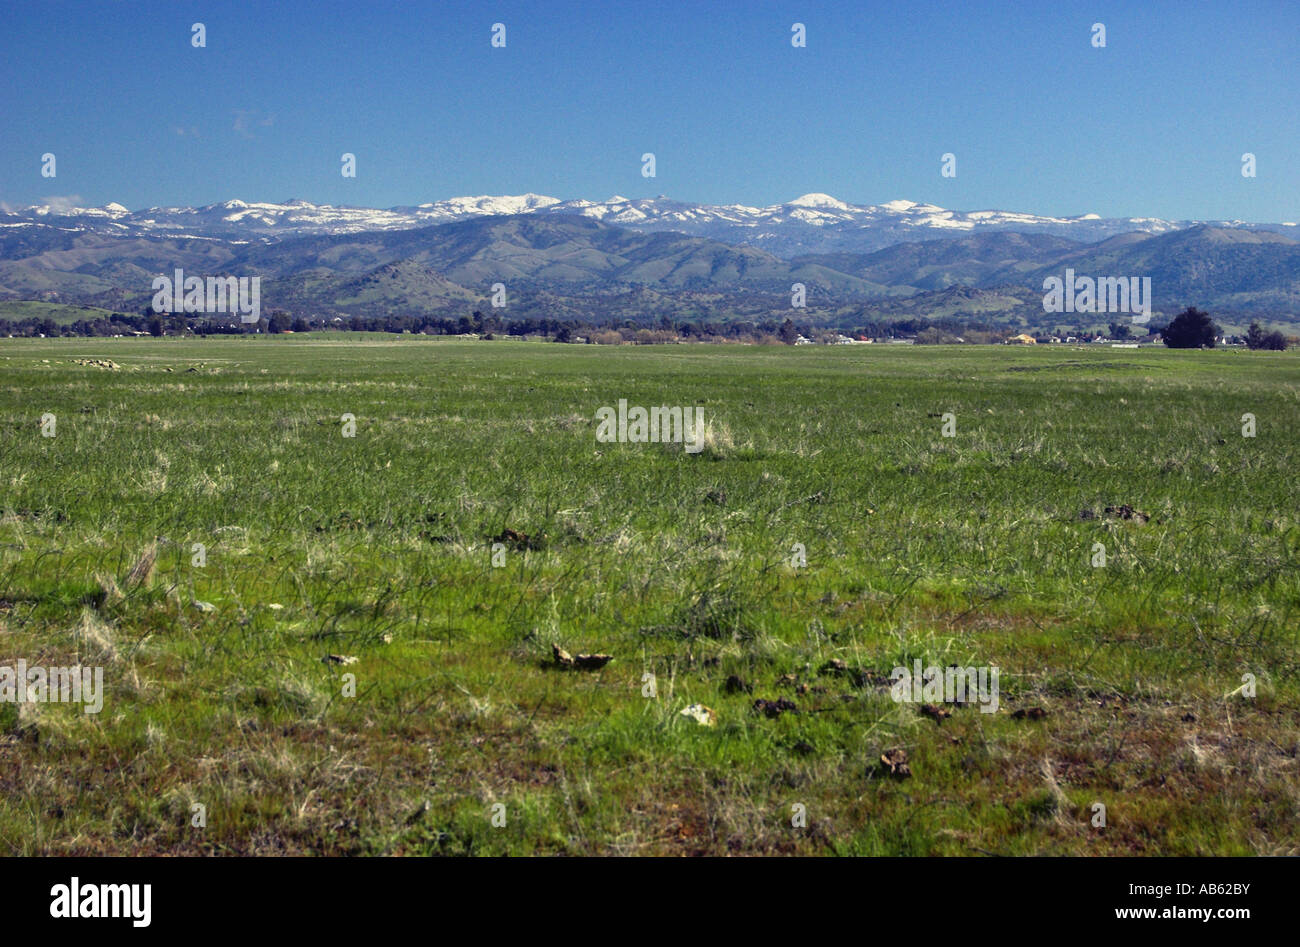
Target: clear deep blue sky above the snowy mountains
pixel 1039 120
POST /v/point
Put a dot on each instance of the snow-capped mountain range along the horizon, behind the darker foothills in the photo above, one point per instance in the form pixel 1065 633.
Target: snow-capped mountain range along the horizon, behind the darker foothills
pixel 814 223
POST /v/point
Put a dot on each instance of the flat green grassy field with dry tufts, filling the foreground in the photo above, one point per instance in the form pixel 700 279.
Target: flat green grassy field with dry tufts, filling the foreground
pixel 1121 685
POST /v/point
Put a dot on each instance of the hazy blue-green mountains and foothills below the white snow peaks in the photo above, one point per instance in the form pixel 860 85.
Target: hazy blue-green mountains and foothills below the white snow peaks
pixel 569 262
